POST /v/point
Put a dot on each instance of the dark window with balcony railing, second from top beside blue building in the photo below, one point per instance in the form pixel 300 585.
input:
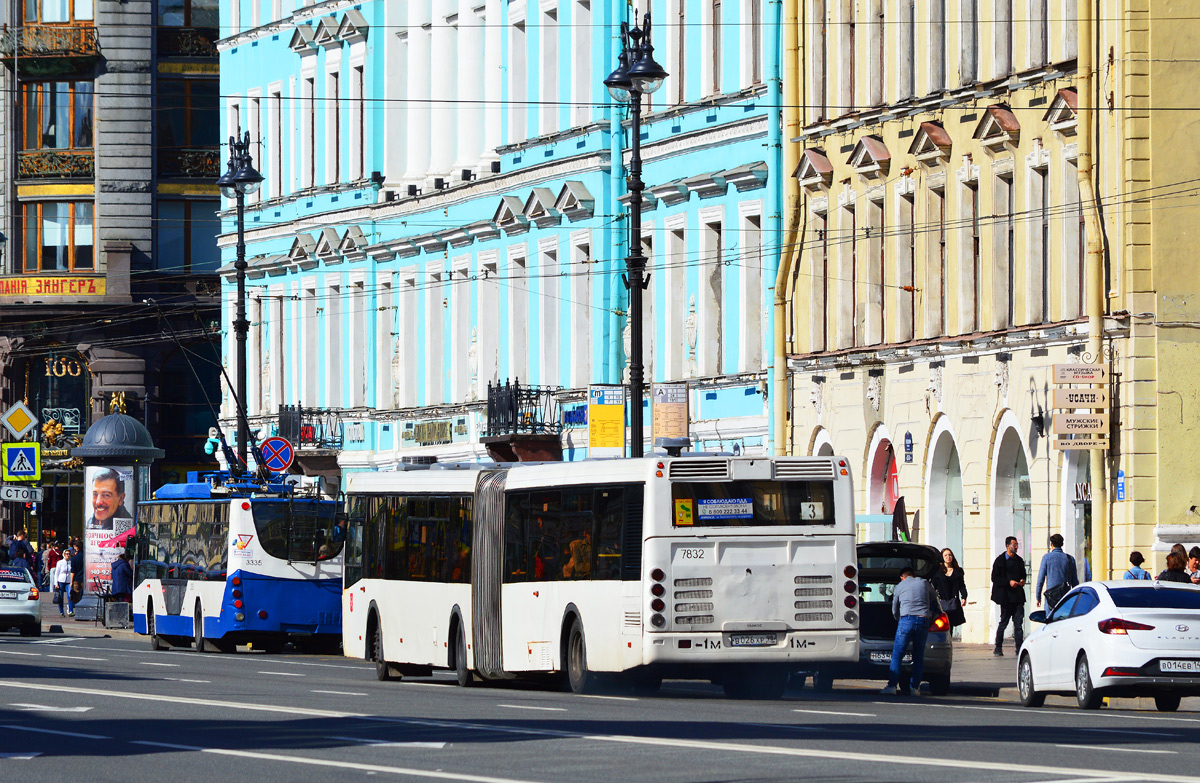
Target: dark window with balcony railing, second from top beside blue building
pixel 188 128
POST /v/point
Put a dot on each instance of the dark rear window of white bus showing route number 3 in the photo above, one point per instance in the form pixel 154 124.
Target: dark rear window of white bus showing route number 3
pixel 752 504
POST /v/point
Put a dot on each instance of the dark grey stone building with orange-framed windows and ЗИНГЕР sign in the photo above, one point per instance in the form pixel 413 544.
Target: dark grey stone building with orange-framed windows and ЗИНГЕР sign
pixel 109 219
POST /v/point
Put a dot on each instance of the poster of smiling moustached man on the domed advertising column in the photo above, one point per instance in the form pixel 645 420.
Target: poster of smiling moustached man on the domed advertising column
pixel 110 497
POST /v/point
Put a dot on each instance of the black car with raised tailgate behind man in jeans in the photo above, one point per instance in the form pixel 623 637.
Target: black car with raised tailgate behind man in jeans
pixel 879 573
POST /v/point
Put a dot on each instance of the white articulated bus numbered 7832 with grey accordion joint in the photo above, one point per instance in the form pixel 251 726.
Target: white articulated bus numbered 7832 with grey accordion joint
pixel 735 570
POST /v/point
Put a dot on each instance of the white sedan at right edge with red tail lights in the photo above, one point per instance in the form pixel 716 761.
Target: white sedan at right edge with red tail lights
pixel 1115 639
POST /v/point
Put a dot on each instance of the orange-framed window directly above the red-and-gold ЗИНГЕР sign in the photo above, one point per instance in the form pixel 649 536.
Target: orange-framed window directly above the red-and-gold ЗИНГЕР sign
pixel 59 236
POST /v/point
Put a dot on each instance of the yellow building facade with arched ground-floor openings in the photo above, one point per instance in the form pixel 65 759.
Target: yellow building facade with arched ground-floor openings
pixel 939 268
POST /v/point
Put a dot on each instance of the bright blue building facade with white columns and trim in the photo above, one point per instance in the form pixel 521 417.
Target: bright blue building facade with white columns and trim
pixel 445 207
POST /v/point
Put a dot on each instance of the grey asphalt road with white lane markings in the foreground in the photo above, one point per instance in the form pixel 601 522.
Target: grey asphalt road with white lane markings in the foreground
pixel 94 709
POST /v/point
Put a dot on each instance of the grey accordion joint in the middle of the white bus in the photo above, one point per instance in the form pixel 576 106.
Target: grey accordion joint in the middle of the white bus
pixel 488 573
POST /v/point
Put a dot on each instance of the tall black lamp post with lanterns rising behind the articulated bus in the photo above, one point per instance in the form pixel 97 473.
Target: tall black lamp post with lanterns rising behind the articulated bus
pixel 637 75
